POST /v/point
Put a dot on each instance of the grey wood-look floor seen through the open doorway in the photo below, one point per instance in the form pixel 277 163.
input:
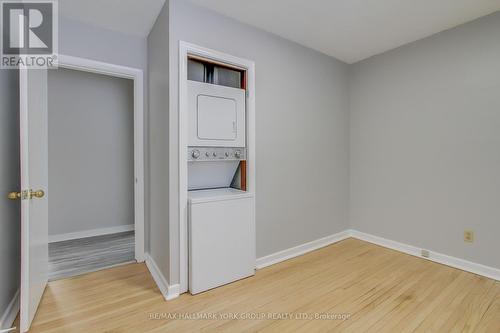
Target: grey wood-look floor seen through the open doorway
pixel 84 255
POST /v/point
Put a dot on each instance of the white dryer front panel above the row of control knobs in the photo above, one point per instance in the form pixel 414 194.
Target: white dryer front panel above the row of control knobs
pixel 216 115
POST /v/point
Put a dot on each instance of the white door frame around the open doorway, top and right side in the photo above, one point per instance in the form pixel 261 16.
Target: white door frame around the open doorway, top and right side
pixel 137 75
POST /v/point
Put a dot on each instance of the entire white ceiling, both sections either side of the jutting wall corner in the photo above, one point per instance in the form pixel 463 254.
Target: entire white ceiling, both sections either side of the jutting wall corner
pixel 349 30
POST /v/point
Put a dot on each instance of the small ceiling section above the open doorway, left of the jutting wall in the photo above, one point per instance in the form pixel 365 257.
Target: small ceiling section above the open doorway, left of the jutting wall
pixel 134 17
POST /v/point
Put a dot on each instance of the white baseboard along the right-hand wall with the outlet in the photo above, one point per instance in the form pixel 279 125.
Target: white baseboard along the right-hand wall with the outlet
pixel 472 267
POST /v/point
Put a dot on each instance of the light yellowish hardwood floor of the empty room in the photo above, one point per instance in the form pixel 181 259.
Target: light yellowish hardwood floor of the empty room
pixel 379 289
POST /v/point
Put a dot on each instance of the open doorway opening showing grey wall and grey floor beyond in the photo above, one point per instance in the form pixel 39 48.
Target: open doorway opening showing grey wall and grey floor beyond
pixel 91 172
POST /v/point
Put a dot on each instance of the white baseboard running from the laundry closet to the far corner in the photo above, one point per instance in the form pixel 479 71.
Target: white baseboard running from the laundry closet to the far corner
pixel 301 249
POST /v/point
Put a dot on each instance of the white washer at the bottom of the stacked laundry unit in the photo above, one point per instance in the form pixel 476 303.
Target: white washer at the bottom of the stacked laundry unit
pixel 221 237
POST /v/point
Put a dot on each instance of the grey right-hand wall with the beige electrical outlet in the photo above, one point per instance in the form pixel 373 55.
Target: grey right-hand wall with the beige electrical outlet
pixel 425 142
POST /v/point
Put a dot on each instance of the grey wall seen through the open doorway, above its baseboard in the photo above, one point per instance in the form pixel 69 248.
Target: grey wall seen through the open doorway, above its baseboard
pixel 91 155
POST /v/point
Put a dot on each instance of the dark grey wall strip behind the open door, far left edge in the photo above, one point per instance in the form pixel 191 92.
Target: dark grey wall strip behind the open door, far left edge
pixel 10 221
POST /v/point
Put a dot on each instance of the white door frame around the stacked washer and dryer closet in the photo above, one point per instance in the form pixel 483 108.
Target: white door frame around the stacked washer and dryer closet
pixel 188 49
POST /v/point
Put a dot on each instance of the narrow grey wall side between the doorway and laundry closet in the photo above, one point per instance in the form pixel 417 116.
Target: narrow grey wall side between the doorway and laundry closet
pixel 158 61
